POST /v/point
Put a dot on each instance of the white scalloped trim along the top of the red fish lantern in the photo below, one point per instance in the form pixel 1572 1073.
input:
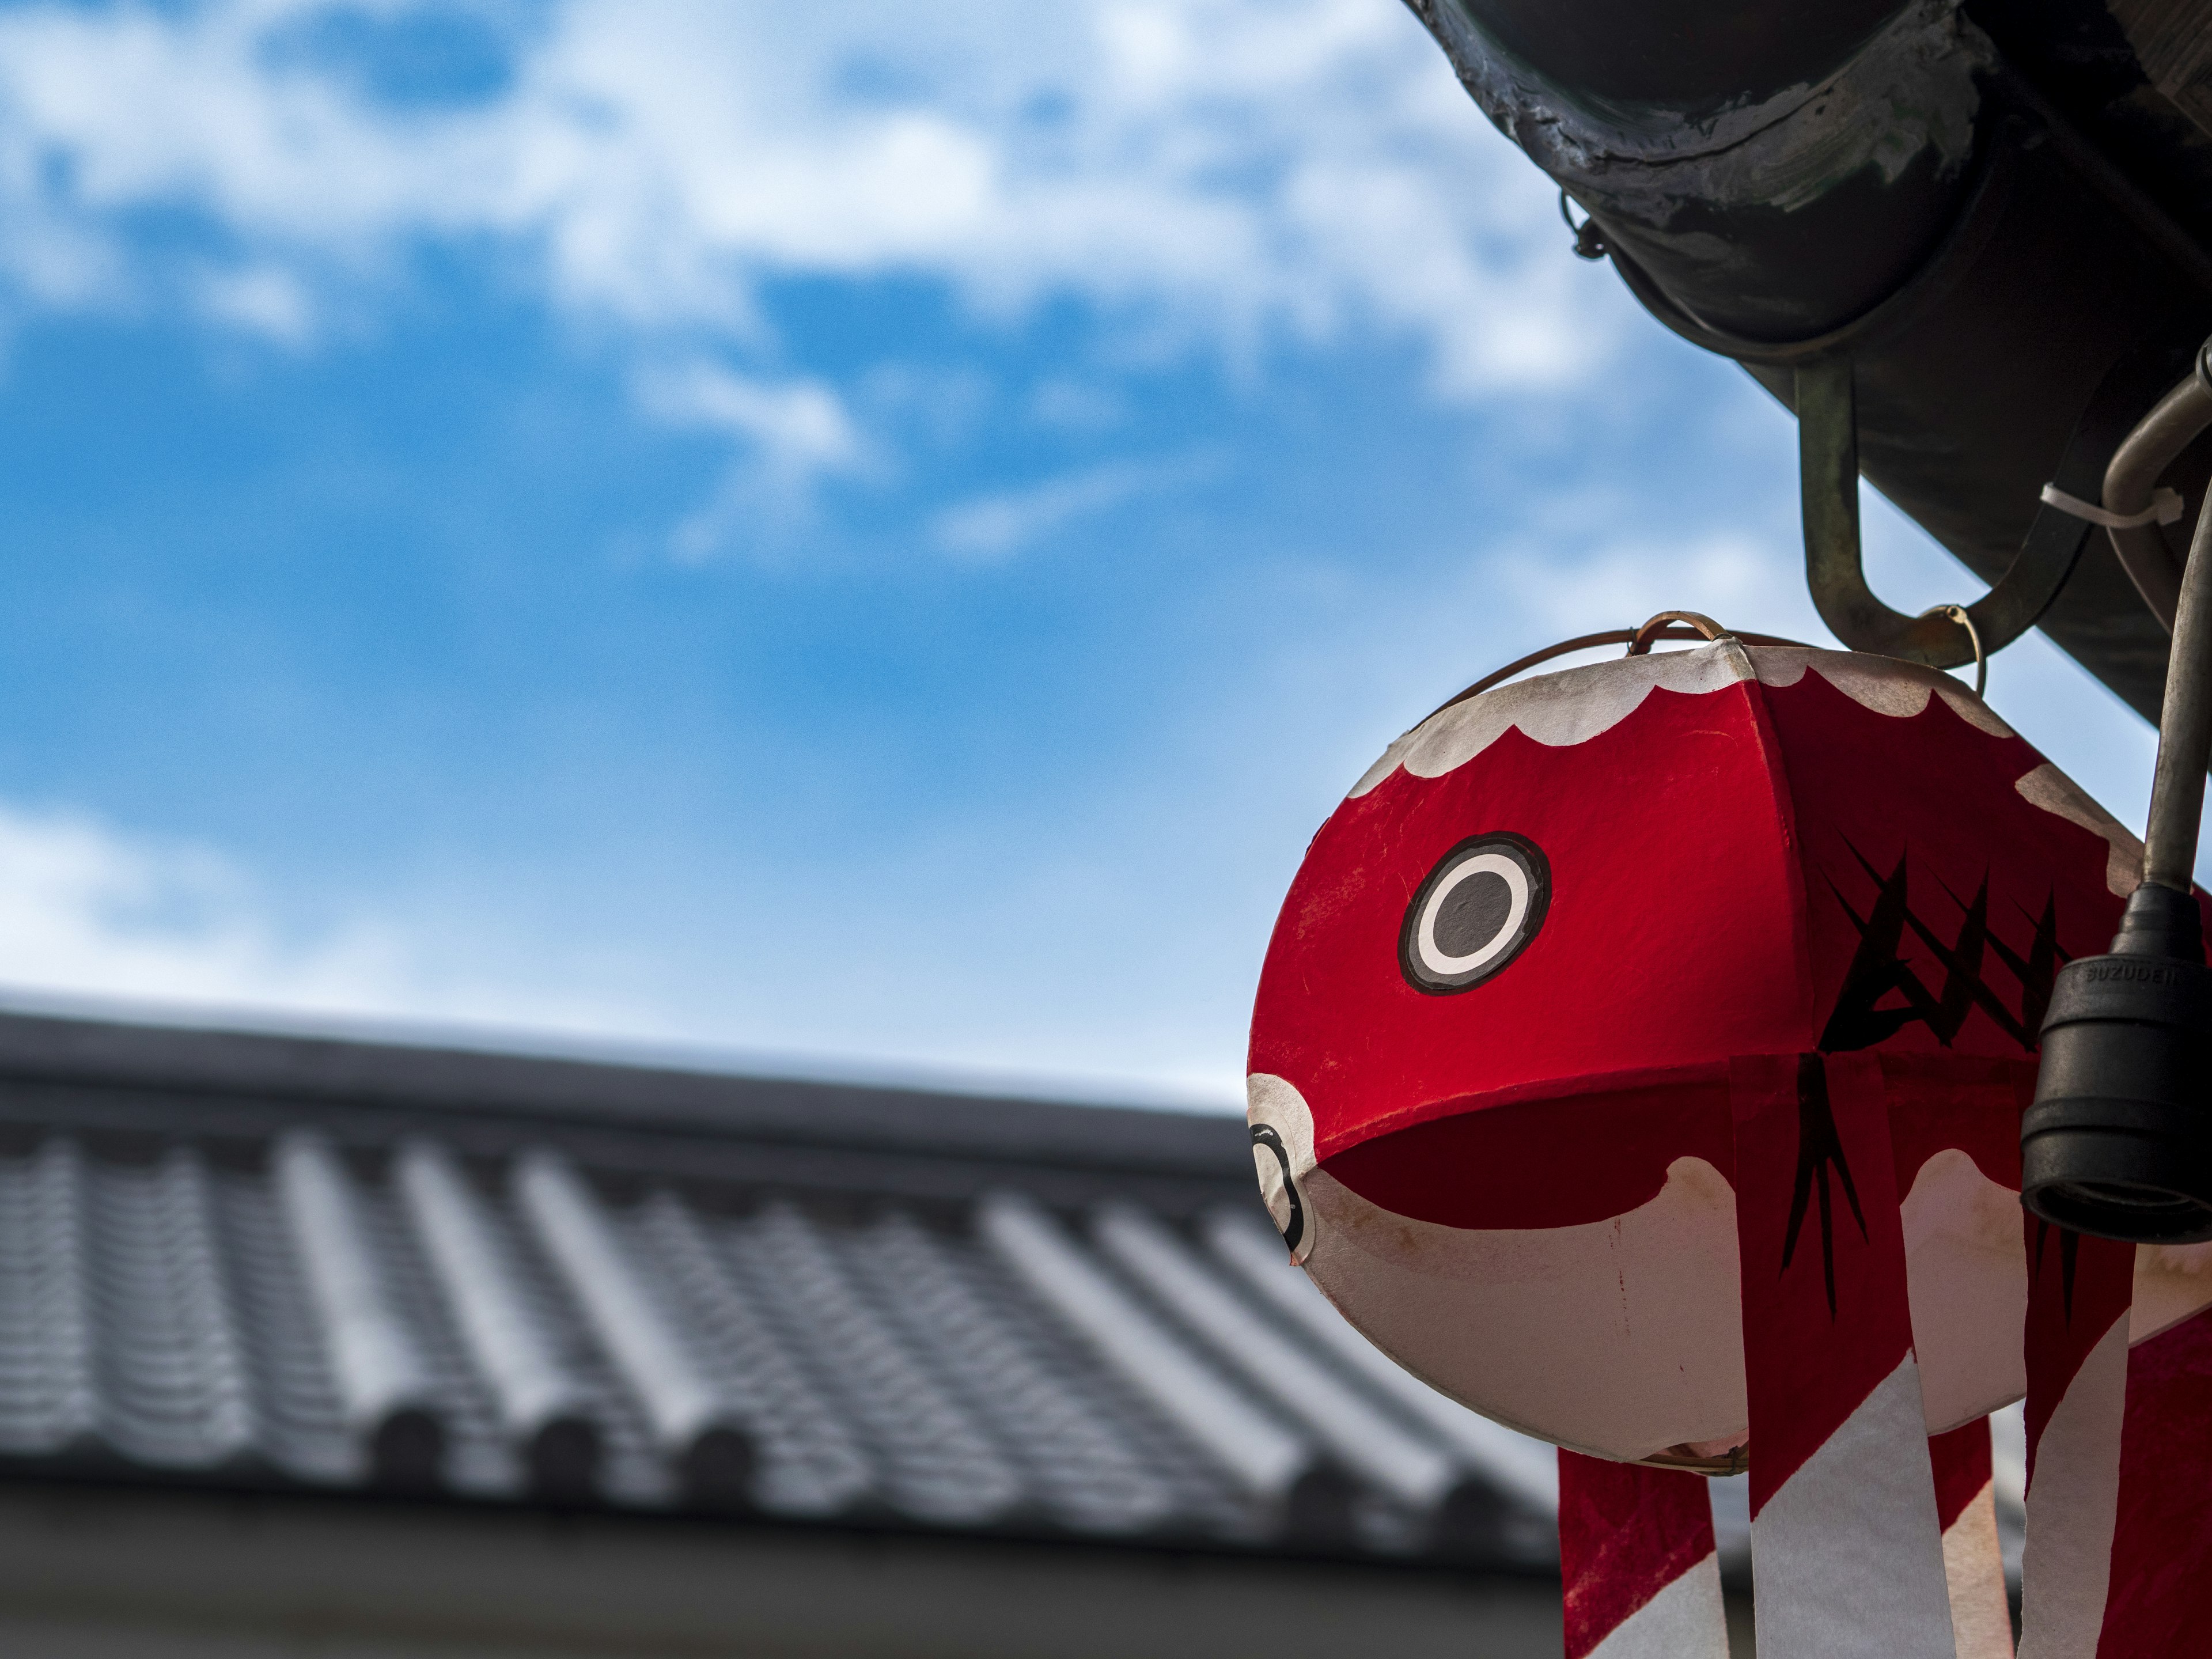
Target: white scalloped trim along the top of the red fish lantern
pixel 1578 705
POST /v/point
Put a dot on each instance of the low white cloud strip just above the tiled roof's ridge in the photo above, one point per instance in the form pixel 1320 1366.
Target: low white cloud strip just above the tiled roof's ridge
pixel 96 919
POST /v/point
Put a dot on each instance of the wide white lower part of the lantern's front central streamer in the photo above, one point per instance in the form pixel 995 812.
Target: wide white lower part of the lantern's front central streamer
pixel 1848 1556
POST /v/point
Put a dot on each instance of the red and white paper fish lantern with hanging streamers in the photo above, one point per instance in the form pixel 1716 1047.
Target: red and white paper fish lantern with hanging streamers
pixel 1640 1061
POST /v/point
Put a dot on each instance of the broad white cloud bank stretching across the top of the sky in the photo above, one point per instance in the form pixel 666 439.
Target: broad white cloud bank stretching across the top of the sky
pixel 1218 171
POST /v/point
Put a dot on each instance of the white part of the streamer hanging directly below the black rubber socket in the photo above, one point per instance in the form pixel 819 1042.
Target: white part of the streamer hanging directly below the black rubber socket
pixel 2074 1505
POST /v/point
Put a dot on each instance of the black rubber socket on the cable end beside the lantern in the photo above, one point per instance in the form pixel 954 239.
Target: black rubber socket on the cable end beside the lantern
pixel 2120 1138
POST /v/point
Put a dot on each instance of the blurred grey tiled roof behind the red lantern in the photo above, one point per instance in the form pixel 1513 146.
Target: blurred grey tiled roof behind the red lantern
pixel 269 1262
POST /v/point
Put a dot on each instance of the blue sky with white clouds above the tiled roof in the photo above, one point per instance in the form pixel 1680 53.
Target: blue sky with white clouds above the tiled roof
pixel 862 543
